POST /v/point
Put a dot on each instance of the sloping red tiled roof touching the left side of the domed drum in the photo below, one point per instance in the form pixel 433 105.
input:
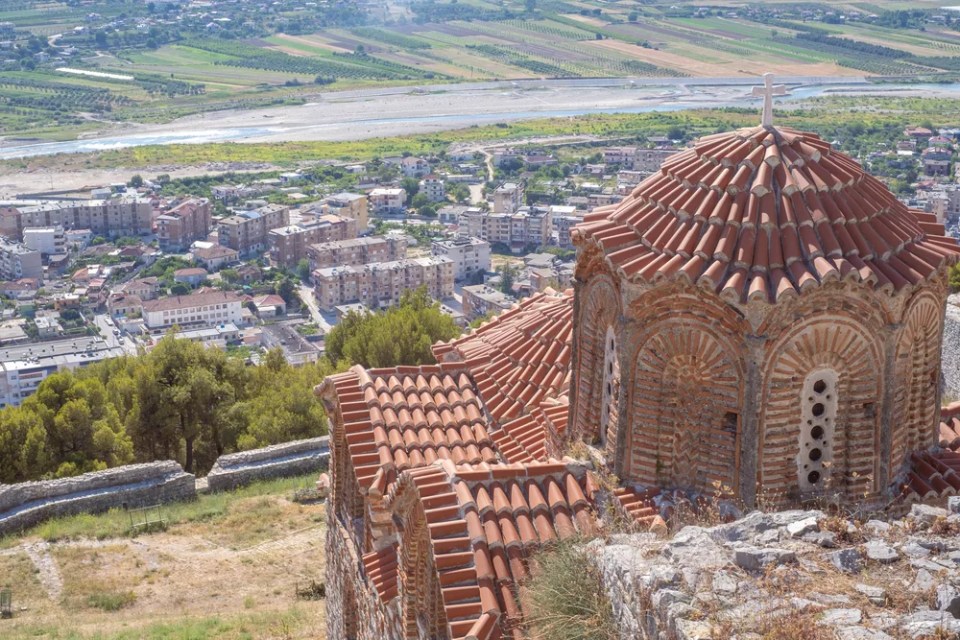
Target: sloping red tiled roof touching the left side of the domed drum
pixel 520 357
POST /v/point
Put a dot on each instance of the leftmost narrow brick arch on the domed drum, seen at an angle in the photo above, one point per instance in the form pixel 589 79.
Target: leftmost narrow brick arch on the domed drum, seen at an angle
pixel 598 310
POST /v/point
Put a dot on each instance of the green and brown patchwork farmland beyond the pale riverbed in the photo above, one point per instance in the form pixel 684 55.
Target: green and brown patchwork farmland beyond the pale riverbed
pixel 295 53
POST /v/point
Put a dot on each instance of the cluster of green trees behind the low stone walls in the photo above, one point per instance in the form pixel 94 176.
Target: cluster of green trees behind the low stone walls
pixel 186 402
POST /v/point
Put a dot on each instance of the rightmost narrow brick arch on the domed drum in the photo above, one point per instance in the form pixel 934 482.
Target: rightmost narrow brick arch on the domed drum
pixel 917 378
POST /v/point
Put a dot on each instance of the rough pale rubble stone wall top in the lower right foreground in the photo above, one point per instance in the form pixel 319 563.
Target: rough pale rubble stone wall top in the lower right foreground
pixel 792 575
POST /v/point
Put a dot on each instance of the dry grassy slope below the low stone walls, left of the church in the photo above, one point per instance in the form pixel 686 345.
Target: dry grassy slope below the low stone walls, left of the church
pixel 229 566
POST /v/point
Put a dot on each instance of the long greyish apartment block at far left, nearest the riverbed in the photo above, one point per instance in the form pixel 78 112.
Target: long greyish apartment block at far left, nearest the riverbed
pixel 114 217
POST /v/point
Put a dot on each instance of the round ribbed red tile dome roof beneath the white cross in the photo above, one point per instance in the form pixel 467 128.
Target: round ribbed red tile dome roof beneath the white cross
pixel 763 213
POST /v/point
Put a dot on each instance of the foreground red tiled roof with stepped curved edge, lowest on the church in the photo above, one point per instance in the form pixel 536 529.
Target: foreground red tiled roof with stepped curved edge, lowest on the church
pixel 484 521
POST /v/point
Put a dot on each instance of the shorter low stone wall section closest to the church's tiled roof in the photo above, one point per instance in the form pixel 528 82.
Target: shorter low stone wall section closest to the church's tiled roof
pixel 288 459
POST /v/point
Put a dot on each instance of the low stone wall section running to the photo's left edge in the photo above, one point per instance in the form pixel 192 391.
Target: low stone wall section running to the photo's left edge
pixel 26 504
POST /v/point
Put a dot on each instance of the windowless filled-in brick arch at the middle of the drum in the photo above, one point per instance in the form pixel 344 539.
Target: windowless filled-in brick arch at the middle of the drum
pixel 685 401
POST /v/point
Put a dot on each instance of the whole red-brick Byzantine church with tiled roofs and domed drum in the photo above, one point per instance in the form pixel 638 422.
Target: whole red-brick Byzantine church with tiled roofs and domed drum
pixel 758 317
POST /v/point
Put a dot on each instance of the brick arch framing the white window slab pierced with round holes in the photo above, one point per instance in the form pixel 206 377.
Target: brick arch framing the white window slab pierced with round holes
pixel 847 346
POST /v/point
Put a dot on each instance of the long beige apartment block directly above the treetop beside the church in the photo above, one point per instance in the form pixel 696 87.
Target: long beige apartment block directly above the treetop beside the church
pixel 383 283
